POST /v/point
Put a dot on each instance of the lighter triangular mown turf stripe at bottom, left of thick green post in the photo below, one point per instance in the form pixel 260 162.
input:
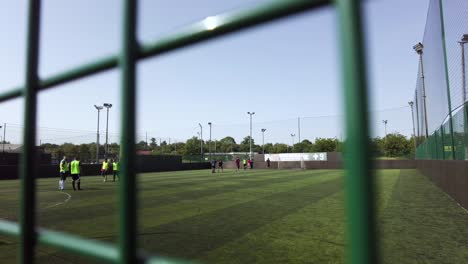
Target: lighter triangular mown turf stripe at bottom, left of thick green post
pixel 313 234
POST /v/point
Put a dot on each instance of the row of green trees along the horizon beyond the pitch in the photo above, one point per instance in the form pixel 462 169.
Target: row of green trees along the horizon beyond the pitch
pixel 393 145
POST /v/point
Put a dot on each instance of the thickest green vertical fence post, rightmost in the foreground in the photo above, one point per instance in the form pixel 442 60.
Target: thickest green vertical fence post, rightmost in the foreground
pixel 359 183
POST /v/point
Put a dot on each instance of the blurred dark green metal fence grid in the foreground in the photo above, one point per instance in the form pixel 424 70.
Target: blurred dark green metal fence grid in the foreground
pixel 361 224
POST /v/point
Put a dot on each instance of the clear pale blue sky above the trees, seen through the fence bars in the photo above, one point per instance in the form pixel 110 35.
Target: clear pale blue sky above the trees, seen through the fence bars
pixel 282 71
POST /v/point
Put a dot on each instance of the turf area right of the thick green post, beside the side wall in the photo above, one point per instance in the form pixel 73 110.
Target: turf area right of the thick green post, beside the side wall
pixel 420 220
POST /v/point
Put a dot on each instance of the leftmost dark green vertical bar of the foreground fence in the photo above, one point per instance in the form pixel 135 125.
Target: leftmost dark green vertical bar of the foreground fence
pixel 28 157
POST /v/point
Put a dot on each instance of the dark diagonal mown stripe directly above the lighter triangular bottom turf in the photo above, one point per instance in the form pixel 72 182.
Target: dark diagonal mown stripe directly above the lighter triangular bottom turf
pixel 205 232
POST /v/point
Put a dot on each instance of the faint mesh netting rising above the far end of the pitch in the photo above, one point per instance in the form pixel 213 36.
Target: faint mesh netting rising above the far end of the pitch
pixel 284 131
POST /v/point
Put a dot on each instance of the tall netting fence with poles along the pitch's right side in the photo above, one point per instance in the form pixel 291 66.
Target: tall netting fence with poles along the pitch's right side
pixel 439 143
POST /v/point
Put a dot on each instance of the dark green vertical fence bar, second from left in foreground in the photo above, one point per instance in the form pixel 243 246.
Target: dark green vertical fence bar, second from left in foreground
pixel 127 188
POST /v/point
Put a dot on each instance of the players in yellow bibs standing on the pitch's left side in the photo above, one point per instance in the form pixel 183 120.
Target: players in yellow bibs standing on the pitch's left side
pixel 74 169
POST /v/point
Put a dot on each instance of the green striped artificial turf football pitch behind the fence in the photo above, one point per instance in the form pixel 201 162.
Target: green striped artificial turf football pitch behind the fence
pixel 254 216
